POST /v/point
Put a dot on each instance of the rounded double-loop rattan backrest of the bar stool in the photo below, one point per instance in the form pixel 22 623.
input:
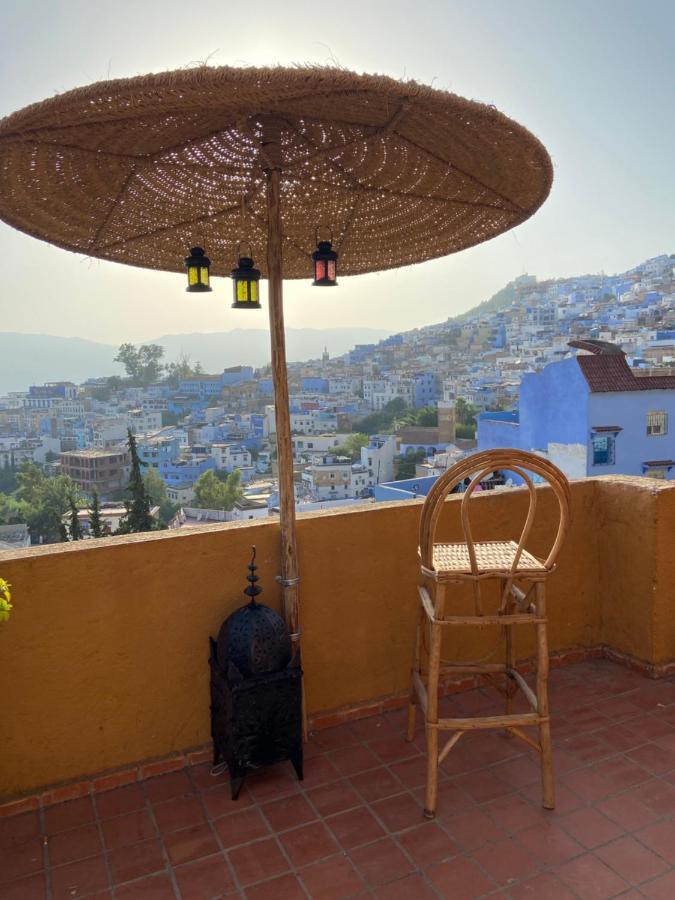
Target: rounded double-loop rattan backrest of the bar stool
pixel 478 467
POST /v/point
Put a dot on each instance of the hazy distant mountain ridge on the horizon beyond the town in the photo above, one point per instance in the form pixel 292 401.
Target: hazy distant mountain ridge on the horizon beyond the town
pixel 27 359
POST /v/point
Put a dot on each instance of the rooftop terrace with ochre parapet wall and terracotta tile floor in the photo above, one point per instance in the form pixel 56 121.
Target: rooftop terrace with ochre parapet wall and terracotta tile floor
pixel 105 728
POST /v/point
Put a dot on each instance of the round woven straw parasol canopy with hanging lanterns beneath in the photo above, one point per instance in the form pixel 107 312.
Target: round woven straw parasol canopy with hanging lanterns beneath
pixel 139 170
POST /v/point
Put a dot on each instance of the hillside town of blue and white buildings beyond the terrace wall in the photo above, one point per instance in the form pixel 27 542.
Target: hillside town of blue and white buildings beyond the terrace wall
pixel 579 369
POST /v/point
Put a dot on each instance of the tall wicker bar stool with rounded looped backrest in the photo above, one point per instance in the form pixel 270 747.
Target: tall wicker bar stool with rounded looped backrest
pixel 521 577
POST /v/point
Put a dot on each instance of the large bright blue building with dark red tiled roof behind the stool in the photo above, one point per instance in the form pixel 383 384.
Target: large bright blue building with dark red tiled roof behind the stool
pixel 592 415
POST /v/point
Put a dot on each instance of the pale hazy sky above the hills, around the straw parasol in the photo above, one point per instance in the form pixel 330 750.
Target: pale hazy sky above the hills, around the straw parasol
pixel 594 80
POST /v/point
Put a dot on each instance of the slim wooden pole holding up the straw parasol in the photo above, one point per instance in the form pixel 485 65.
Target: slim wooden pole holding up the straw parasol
pixel 289 578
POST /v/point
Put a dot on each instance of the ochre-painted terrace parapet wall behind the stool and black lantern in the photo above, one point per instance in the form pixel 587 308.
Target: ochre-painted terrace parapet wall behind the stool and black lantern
pixel 104 661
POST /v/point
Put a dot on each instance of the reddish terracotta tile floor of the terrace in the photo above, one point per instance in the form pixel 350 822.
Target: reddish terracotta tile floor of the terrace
pixel 354 826
